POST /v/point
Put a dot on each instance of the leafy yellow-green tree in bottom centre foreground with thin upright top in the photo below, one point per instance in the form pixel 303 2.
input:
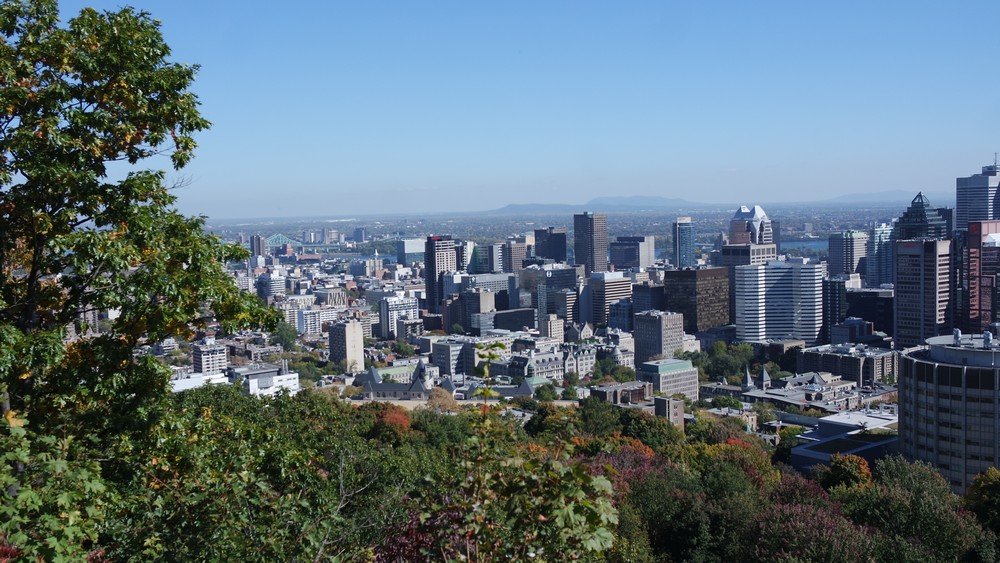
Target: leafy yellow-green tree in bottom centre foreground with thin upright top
pixel 503 506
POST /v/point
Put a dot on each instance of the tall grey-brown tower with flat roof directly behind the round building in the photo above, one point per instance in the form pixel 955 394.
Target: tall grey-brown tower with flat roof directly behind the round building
pixel 922 290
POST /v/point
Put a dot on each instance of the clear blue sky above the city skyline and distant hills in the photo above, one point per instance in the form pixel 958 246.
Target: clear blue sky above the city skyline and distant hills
pixel 362 107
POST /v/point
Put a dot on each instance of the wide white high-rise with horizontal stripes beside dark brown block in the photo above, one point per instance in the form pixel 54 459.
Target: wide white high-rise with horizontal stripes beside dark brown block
pixel 780 300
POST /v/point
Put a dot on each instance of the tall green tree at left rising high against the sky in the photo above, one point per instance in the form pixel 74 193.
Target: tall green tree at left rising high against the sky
pixel 80 95
